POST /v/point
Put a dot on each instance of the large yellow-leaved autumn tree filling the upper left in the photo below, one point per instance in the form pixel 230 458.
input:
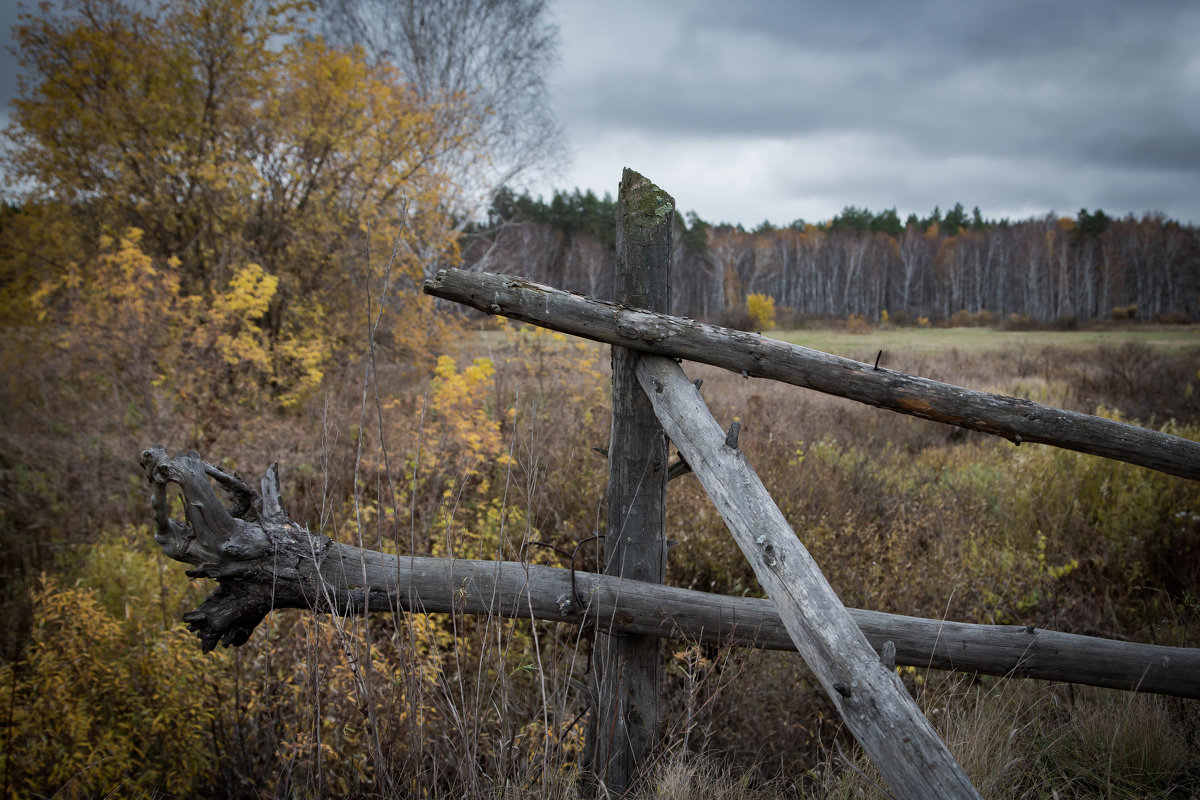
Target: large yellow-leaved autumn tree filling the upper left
pixel 209 197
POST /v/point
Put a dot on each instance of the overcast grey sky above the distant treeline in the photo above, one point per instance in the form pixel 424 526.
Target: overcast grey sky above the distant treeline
pixel 751 111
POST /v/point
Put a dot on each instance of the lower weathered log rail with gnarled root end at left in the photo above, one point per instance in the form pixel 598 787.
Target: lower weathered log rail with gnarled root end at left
pixel 291 568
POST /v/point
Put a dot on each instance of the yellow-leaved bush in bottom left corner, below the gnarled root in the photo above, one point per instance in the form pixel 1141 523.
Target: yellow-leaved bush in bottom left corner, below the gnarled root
pixel 89 702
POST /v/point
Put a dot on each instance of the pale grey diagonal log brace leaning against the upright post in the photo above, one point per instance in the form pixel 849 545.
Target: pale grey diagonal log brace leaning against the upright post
pixel 872 700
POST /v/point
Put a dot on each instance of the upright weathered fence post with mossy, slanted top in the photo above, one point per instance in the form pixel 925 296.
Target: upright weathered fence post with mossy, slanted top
pixel 625 727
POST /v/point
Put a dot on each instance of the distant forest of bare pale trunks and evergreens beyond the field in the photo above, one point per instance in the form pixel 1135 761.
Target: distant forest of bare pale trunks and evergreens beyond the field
pixel 1041 270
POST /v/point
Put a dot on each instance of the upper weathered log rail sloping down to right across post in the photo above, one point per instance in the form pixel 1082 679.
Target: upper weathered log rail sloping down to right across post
pixel 1015 419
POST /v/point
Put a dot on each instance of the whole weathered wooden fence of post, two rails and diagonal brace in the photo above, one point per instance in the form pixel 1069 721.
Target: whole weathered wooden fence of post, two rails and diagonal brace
pixel 851 653
